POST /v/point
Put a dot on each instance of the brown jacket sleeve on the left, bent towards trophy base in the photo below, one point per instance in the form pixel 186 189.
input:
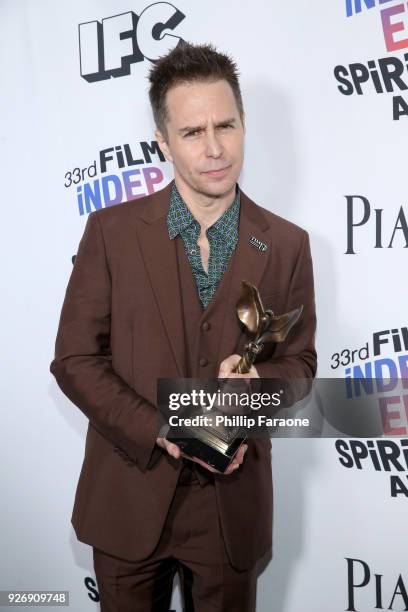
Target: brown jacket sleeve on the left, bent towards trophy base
pixel 82 364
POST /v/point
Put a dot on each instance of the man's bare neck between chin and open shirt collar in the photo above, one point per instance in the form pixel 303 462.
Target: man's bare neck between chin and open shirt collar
pixel 206 209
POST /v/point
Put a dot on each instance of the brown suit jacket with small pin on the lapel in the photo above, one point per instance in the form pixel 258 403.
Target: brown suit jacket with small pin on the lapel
pixel 121 329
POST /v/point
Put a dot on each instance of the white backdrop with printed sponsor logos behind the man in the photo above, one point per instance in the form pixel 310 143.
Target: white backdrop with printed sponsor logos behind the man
pixel 308 147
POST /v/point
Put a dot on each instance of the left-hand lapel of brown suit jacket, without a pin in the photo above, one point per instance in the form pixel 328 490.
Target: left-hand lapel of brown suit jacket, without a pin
pixel 160 258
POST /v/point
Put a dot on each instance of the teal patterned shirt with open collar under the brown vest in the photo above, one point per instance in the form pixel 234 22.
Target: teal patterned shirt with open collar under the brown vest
pixel 222 237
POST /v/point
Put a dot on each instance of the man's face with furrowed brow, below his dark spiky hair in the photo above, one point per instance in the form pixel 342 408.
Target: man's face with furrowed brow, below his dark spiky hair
pixel 205 137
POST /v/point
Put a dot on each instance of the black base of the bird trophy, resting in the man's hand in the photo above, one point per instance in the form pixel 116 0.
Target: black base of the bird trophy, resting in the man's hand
pixel 210 448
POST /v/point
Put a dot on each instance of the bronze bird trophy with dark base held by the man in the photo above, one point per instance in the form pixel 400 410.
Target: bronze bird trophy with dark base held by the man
pixel 217 445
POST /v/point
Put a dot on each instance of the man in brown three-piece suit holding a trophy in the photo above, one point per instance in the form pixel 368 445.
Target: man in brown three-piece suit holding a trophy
pixel 153 294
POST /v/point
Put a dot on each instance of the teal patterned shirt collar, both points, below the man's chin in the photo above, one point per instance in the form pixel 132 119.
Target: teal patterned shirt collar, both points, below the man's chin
pixel 179 217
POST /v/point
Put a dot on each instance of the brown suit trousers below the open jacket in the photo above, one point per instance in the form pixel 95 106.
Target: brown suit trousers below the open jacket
pixel 191 545
